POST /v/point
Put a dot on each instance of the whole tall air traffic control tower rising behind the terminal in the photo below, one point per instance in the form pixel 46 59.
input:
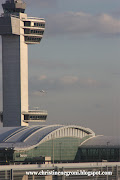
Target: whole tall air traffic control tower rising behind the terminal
pixel 18 31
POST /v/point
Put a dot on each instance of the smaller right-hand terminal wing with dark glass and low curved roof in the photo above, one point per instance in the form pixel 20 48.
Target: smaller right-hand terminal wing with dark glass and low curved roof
pixel 99 148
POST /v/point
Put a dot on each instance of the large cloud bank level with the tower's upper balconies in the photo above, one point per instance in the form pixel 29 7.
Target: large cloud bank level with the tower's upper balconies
pixel 82 23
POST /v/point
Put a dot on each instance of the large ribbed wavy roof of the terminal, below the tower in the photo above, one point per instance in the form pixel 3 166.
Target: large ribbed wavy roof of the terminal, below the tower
pixel 31 136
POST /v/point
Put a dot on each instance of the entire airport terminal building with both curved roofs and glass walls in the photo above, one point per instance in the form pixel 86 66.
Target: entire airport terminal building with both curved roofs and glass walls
pixel 55 144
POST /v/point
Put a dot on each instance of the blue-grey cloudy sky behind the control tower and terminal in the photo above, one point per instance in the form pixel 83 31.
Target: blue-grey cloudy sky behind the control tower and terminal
pixel 77 63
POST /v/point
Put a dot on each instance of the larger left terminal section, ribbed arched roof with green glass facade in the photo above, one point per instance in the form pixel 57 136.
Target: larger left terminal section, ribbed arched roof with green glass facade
pixel 59 142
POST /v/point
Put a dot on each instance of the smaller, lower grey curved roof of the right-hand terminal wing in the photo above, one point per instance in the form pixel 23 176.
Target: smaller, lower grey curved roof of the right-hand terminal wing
pixel 101 142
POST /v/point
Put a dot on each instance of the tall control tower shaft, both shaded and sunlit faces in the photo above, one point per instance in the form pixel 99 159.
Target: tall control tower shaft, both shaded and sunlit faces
pixel 15 79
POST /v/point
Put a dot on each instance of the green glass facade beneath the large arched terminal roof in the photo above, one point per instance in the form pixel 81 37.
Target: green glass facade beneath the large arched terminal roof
pixel 59 149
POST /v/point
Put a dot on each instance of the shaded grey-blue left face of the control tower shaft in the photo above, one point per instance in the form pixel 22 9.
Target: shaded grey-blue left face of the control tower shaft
pixel 11 80
